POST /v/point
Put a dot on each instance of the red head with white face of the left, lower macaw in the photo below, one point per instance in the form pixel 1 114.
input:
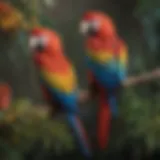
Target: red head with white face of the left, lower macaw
pixel 43 41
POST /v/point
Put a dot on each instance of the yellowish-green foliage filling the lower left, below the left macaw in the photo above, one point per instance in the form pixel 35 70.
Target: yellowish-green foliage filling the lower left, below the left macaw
pixel 24 124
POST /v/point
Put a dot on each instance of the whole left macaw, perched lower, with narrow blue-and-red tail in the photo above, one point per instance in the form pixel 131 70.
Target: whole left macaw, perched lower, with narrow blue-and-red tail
pixel 58 79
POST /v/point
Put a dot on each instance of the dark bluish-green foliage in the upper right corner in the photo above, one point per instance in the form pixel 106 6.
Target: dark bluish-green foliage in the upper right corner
pixel 148 13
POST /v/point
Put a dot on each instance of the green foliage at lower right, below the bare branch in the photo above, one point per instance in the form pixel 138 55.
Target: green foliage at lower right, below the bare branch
pixel 142 115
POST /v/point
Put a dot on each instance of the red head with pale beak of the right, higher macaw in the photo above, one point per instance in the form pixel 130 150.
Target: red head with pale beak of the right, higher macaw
pixel 96 23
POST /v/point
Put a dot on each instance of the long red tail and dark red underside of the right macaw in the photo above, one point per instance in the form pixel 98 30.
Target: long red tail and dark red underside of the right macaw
pixel 104 115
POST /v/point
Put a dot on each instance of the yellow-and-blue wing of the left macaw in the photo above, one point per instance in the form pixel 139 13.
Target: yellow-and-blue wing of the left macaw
pixel 61 89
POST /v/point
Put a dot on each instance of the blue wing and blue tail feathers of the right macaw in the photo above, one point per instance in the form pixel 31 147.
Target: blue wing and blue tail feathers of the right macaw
pixel 109 76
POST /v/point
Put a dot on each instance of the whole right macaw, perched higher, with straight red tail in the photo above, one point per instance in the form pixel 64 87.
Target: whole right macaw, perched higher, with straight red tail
pixel 106 57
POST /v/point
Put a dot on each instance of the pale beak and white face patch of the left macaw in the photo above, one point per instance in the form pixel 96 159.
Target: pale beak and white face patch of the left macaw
pixel 37 43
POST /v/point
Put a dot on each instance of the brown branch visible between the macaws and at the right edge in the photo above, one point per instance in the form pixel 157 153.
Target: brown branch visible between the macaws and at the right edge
pixel 85 95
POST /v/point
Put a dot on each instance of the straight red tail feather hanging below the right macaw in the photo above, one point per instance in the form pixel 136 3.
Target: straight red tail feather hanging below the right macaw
pixel 104 118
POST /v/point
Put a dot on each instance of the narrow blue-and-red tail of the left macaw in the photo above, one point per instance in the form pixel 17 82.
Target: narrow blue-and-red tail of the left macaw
pixel 80 134
